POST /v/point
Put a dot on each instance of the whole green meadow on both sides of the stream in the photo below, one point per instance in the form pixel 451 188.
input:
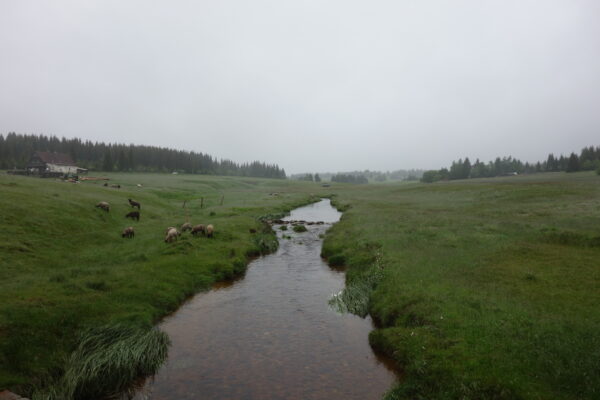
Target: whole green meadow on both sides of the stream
pixel 481 289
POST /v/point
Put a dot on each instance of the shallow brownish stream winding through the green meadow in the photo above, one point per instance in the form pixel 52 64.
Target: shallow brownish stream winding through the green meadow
pixel 272 335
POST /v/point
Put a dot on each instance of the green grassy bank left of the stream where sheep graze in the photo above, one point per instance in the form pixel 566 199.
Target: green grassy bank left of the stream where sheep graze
pixel 65 268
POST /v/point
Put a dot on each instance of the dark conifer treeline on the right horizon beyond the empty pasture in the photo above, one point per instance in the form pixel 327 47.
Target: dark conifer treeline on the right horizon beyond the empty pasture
pixel 587 160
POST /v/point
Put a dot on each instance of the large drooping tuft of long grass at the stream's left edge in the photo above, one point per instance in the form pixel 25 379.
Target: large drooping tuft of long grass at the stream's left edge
pixel 108 360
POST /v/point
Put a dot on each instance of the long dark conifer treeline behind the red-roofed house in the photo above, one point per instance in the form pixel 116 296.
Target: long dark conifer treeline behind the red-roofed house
pixel 16 150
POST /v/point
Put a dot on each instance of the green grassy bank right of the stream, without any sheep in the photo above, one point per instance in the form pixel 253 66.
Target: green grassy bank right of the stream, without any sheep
pixel 488 289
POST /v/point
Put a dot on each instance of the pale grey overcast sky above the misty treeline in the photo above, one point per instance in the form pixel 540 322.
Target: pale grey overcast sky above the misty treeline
pixel 323 85
